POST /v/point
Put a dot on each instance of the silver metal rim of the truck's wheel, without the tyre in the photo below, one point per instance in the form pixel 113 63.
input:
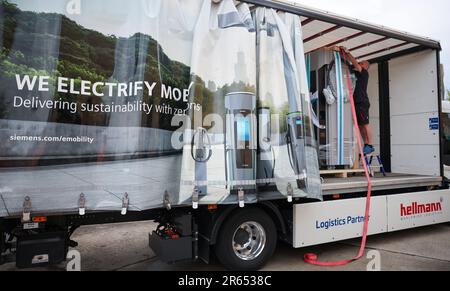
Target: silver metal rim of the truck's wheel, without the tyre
pixel 249 240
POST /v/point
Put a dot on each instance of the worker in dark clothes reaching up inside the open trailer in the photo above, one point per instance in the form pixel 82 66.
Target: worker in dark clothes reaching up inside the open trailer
pixel 362 103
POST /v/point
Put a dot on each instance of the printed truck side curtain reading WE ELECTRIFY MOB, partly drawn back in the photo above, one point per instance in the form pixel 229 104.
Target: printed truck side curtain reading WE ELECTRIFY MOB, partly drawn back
pixel 153 102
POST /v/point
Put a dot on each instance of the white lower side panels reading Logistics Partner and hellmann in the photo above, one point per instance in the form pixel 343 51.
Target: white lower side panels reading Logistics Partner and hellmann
pixel 325 222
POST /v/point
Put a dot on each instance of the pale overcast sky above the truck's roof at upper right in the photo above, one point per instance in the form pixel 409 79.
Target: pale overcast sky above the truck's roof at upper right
pixel 429 18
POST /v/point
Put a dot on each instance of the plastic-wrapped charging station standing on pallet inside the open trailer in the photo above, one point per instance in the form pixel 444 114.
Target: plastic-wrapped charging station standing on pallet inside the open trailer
pixel 337 141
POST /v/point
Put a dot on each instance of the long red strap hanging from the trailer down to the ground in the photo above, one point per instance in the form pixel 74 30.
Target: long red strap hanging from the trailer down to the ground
pixel 312 258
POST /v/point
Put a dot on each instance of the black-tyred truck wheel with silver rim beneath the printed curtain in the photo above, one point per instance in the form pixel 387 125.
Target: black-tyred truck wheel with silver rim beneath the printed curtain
pixel 247 240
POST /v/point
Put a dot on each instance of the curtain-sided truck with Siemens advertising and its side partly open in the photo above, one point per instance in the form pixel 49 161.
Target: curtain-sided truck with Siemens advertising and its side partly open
pixel 214 119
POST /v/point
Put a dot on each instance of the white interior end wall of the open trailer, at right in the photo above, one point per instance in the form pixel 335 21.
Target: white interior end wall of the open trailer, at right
pixel 413 104
